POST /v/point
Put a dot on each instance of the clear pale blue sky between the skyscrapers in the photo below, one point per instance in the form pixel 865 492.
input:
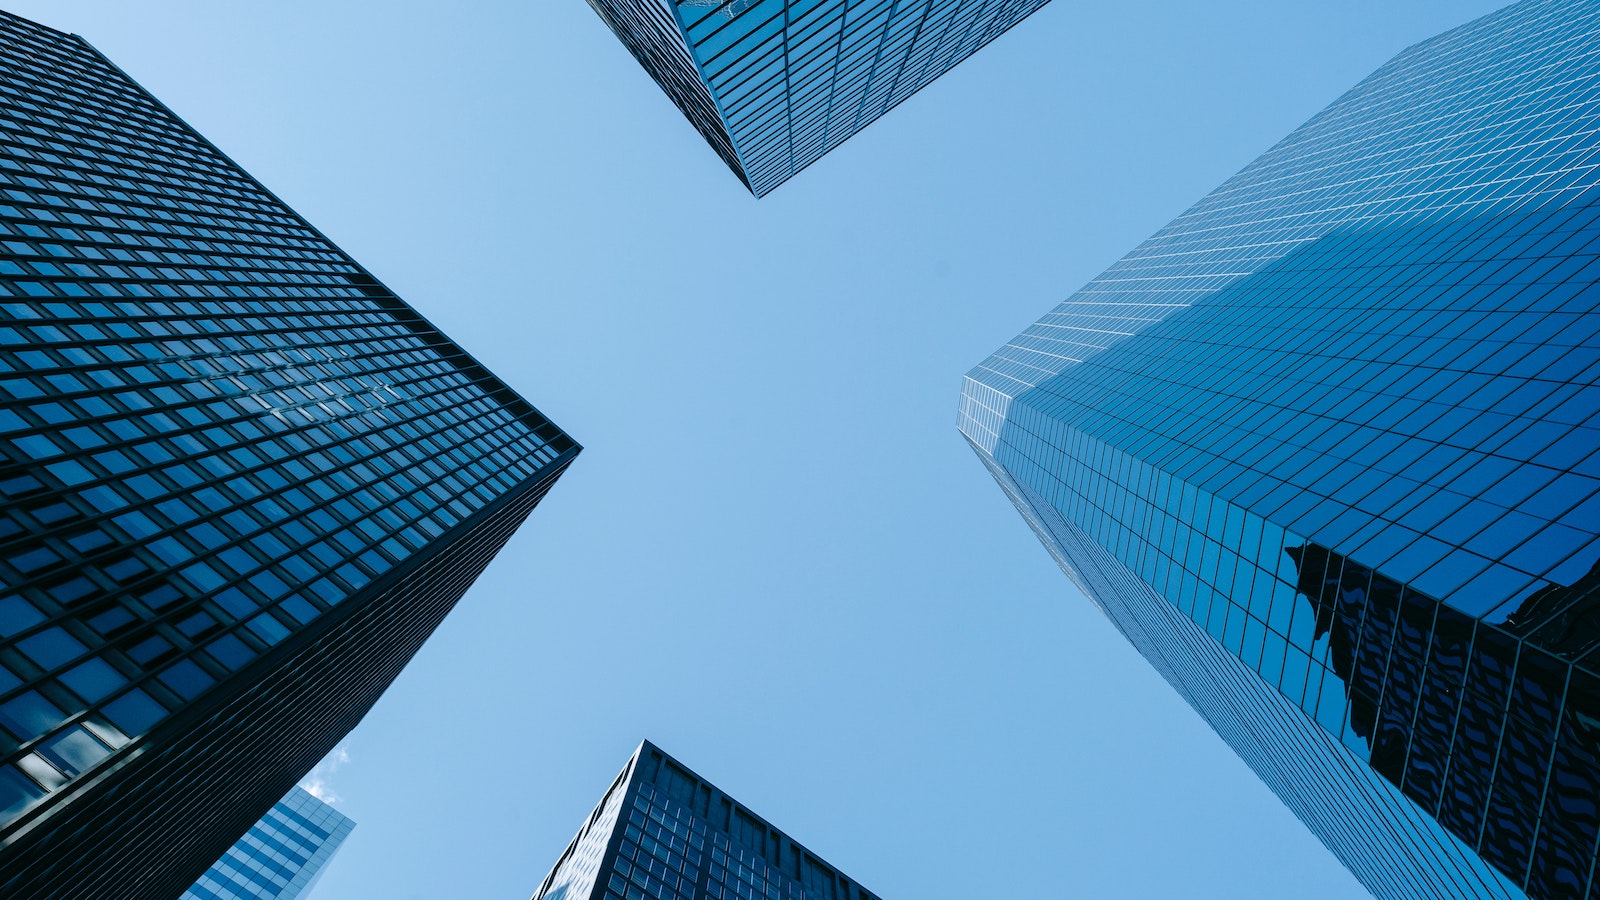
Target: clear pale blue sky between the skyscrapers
pixel 775 556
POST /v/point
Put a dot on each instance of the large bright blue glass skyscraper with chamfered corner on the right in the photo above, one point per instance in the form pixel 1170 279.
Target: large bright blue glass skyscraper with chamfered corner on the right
pixel 1327 451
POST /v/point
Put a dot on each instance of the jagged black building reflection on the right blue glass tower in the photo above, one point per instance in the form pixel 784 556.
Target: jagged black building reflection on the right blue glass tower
pixel 1492 729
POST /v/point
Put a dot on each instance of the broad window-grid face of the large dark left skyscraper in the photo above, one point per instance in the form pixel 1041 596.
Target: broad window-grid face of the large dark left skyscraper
pixel 215 427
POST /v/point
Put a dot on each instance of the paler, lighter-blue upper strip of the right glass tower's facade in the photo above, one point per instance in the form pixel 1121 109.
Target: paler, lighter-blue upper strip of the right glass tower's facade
pixel 1487 119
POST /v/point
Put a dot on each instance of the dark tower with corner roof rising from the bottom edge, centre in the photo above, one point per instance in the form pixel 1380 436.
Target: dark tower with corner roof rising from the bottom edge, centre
pixel 665 834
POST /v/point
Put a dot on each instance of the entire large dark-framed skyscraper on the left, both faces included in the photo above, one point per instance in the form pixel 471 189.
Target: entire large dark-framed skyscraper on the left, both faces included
pixel 242 484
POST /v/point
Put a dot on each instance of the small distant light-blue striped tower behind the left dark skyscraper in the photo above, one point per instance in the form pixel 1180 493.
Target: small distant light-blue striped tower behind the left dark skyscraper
pixel 281 858
